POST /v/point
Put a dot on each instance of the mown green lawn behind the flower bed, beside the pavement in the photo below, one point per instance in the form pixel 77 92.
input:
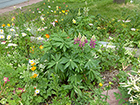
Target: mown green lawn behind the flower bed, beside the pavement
pixel 104 7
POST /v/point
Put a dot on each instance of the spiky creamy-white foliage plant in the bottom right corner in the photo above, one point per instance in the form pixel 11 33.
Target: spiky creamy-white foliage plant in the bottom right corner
pixel 133 85
